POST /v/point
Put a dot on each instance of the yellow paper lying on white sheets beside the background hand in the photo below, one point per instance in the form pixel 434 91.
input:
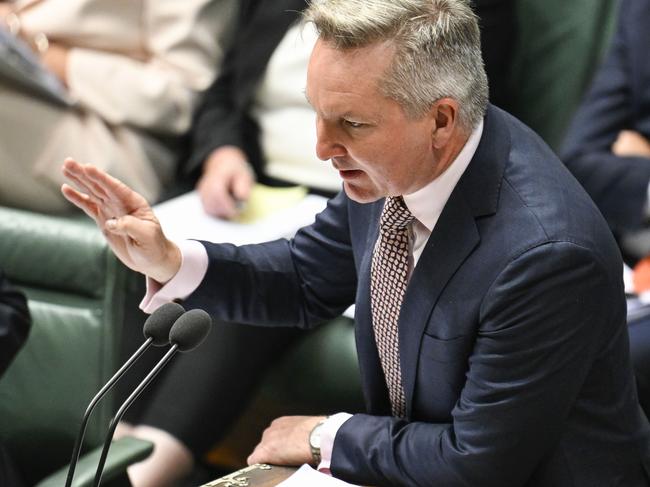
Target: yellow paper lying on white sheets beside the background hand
pixel 265 200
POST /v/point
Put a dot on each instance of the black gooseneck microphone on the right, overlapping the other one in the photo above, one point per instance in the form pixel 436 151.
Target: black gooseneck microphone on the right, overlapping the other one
pixel 185 335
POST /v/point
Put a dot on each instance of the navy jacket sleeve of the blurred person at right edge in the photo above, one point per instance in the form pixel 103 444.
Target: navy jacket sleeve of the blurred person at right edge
pixel 618 185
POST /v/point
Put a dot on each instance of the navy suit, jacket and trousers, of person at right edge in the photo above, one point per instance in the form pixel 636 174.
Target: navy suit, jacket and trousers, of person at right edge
pixel 619 99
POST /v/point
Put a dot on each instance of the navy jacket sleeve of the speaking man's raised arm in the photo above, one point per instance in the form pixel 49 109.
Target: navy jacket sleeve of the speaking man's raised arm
pixel 284 282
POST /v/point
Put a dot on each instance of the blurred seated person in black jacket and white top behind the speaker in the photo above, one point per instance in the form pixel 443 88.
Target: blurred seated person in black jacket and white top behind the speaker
pixel 254 124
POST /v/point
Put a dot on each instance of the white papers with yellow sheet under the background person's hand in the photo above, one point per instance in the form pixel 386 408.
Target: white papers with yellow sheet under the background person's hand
pixel 270 213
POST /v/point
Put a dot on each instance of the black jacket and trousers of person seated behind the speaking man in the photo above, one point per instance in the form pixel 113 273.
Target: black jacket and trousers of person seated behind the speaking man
pixel 224 118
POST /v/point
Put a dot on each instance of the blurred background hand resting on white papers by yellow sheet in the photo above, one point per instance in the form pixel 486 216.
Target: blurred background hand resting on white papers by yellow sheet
pixel 226 182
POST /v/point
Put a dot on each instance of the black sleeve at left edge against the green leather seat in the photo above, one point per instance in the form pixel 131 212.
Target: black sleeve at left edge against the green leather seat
pixel 14 322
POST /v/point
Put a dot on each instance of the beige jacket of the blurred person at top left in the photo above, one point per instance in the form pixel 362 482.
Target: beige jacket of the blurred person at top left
pixel 140 63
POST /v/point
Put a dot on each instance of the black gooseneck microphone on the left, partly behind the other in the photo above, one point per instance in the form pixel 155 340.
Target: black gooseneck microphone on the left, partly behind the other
pixel 156 331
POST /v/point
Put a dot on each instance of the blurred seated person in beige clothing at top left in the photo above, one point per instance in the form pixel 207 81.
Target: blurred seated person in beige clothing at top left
pixel 132 70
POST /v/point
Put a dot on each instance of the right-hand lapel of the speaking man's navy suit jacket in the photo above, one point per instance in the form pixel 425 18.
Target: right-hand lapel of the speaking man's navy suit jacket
pixel 453 239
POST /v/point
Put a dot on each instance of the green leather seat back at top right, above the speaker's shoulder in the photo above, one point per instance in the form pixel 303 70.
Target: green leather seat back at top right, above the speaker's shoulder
pixel 559 45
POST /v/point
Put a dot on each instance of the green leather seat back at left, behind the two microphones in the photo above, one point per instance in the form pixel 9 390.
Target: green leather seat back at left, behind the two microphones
pixel 76 293
